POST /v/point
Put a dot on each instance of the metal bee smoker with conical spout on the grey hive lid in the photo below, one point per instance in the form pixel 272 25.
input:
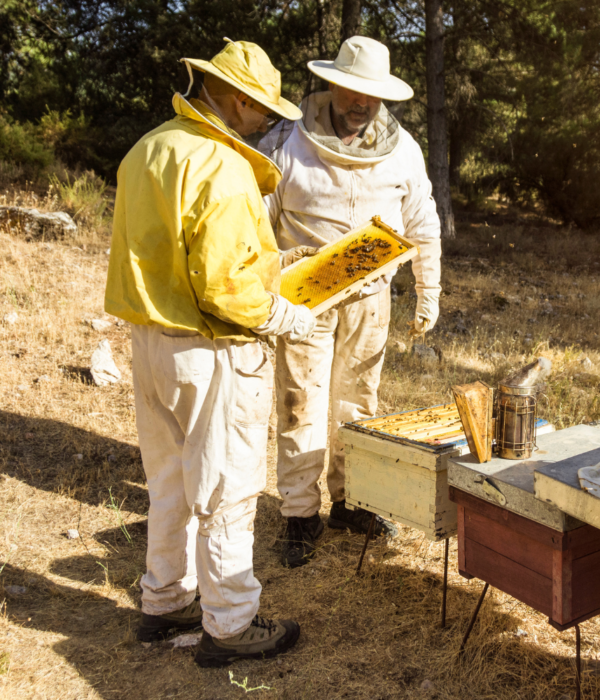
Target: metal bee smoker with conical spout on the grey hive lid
pixel 516 410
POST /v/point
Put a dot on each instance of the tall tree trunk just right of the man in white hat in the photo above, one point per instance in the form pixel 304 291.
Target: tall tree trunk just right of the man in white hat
pixel 436 116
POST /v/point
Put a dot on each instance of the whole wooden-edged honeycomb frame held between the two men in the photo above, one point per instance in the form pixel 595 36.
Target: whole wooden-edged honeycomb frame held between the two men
pixel 345 266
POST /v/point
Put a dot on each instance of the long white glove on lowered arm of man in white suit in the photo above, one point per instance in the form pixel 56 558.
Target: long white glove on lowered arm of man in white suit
pixel 427 270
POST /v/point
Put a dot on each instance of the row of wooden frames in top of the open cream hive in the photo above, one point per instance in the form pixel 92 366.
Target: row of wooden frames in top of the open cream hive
pixel 439 425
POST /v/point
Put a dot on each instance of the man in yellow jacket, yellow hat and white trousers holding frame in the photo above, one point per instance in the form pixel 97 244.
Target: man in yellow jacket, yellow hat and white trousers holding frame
pixel 195 268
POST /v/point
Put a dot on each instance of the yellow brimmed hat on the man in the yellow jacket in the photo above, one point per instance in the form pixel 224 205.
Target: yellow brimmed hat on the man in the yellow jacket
pixel 248 68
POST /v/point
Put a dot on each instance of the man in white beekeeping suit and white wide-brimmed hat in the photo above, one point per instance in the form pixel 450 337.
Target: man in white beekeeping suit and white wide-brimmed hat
pixel 347 160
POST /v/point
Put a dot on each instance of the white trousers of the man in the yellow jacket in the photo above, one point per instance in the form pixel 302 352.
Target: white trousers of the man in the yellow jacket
pixel 202 415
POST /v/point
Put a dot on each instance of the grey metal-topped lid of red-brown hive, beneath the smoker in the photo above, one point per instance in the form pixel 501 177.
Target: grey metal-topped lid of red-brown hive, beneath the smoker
pixel 510 483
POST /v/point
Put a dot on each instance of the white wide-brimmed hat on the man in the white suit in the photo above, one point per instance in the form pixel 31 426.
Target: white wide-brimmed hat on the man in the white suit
pixel 363 65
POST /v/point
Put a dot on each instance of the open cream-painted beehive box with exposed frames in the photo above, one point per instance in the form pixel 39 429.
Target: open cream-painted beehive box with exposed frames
pixel 397 465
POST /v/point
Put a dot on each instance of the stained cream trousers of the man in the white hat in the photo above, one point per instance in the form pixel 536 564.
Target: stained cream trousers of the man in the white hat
pixel 344 356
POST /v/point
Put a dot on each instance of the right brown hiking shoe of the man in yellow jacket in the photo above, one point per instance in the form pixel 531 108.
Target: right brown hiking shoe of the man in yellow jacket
pixel 262 640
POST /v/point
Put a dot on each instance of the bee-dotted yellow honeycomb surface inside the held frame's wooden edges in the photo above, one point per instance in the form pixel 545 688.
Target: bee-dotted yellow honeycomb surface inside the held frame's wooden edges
pixel 332 270
